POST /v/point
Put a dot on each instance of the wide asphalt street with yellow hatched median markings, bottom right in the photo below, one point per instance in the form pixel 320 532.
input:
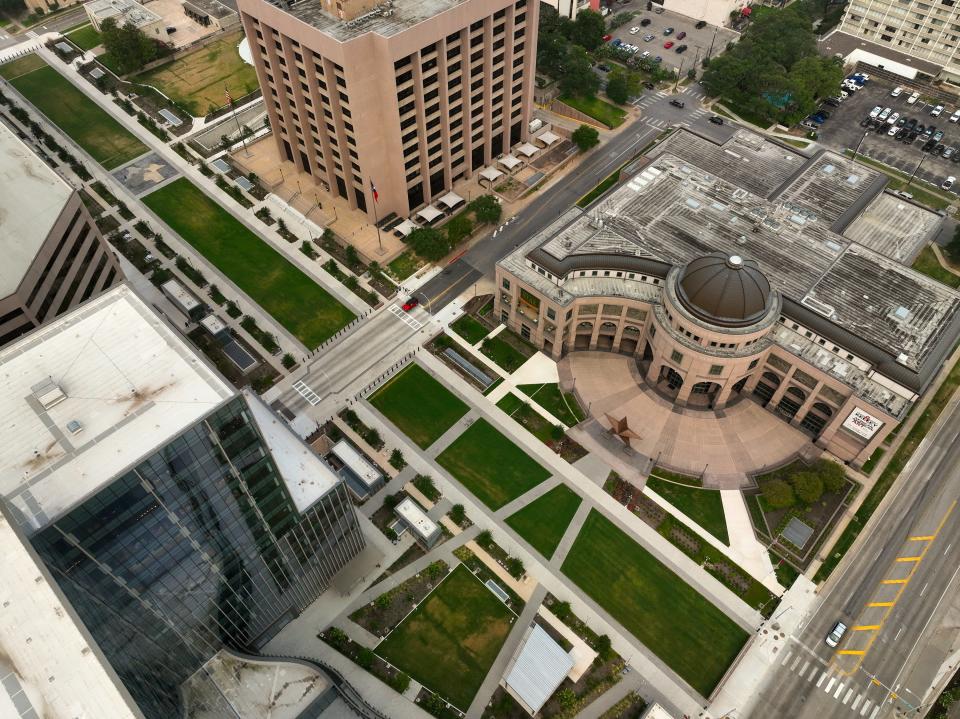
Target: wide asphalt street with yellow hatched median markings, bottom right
pixel 894 594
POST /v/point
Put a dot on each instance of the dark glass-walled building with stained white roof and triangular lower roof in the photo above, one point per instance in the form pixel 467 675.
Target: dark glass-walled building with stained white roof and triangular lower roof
pixel 175 516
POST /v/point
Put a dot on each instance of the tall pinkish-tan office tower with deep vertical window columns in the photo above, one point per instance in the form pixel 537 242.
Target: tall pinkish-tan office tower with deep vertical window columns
pixel 409 96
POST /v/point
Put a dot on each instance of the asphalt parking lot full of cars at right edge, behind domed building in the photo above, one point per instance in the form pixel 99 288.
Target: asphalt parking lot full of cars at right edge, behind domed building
pixel 842 131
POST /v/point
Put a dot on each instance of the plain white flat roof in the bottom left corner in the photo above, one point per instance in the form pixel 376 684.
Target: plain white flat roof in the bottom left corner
pixel 47 663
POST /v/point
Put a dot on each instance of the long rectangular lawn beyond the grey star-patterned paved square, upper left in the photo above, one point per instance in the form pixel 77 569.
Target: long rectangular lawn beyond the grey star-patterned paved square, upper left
pixel 95 131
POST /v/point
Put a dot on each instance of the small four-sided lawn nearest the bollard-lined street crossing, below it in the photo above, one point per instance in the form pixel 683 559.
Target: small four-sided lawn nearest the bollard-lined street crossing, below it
pixel 419 405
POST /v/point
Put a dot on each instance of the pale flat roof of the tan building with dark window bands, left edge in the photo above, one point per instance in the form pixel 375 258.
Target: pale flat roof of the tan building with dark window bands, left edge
pixel 32 198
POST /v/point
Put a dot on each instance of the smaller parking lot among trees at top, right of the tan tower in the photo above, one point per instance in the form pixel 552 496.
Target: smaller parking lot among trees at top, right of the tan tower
pixel 698 41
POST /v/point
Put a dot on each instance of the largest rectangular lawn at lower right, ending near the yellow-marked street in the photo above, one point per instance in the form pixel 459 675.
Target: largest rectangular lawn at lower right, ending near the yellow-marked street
pixel 674 621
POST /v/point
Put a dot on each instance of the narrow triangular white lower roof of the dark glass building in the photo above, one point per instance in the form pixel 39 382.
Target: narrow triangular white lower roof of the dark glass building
pixel 306 476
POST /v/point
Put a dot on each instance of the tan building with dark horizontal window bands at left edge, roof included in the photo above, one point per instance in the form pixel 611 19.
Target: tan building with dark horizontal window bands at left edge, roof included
pixel 54 255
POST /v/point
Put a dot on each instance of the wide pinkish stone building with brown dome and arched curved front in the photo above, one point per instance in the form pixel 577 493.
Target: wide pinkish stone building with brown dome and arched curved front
pixel 729 273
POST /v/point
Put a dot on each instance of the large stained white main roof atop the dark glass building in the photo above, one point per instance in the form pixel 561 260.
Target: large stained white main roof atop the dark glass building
pixel 130 384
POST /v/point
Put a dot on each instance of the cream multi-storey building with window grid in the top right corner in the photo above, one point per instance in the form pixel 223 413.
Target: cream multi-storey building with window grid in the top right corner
pixel 927 31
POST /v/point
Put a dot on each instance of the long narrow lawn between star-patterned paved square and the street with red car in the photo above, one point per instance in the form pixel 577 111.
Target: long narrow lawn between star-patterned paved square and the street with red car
pixel 298 303
